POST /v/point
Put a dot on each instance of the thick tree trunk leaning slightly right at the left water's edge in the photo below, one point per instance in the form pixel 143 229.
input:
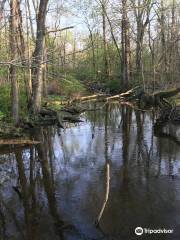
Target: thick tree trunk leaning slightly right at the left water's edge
pixel 38 57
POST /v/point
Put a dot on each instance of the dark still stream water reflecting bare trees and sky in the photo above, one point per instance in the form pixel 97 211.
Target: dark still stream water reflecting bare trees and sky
pixel 110 169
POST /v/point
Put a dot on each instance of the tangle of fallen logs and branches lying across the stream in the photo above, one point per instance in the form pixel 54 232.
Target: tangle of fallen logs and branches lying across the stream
pixel 134 97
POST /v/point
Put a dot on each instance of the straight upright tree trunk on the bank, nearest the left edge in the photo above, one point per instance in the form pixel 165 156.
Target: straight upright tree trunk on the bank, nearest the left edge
pixel 13 21
